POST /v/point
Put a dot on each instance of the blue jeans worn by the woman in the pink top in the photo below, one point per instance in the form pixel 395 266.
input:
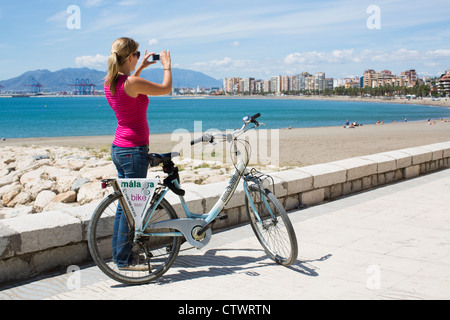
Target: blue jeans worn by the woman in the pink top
pixel 130 163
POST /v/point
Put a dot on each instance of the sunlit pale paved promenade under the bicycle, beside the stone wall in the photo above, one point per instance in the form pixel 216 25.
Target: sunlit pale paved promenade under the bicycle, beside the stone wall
pixel 388 243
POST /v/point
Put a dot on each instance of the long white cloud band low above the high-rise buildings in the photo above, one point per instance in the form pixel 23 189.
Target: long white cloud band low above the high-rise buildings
pixel 330 62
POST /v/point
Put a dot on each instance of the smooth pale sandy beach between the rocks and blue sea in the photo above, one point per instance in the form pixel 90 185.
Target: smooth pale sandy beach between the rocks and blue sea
pixel 297 146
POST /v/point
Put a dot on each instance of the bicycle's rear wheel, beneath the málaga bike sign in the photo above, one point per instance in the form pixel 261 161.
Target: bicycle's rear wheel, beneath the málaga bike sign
pixel 153 255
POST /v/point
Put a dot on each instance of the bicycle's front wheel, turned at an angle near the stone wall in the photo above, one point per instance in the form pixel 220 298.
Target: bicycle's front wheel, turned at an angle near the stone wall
pixel 272 226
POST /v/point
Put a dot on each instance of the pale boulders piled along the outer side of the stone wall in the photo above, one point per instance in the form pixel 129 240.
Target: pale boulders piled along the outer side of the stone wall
pixel 37 179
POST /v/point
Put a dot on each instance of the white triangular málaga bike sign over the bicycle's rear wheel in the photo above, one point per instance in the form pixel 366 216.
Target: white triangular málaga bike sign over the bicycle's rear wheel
pixel 138 194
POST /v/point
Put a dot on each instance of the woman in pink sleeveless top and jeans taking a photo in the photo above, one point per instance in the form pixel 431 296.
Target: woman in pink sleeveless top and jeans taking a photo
pixel 128 96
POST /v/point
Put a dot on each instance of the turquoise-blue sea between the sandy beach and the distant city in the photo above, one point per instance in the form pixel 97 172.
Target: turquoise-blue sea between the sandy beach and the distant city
pixel 92 116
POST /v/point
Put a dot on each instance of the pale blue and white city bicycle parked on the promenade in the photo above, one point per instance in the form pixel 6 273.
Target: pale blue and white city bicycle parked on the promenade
pixel 155 233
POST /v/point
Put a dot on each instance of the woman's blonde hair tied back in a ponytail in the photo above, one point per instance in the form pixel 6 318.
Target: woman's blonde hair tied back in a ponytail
pixel 121 49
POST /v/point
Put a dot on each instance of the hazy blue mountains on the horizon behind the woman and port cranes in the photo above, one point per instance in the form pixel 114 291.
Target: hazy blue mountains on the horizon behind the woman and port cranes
pixel 61 80
